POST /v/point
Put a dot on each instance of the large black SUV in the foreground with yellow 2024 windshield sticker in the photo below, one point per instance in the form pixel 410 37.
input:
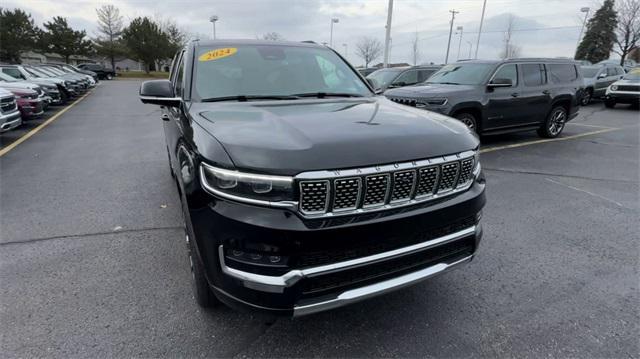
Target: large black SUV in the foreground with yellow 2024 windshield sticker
pixel 302 190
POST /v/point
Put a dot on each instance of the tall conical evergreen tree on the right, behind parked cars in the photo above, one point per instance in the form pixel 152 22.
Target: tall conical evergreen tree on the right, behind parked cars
pixel 598 40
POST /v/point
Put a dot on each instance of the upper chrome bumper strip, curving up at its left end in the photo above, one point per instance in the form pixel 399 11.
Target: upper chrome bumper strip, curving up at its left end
pixel 277 284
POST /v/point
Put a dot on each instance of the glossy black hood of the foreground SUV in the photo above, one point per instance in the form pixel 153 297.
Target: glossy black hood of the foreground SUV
pixel 289 137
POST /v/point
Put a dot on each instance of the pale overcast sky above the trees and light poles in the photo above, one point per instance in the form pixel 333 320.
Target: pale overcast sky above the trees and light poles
pixel 542 27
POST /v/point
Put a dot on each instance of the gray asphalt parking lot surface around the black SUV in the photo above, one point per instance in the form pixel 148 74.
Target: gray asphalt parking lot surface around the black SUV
pixel 93 262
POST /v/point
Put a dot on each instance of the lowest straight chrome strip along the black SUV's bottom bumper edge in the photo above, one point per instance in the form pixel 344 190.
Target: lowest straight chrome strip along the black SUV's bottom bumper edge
pixel 358 294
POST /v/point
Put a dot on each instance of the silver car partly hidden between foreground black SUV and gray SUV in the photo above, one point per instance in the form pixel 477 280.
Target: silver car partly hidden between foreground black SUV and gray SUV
pixel 401 76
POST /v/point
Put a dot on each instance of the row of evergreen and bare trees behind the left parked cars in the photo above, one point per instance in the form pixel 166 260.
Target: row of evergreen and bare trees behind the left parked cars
pixel 148 40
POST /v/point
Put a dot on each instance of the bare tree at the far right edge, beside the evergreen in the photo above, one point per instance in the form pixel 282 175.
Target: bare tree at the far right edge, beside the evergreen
pixel 628 28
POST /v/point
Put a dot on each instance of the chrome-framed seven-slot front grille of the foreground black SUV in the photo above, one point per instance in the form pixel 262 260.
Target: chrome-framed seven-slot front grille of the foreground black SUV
pixel 353 191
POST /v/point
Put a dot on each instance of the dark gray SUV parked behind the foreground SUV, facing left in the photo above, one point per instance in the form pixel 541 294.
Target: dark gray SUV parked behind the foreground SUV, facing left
pixel 501 96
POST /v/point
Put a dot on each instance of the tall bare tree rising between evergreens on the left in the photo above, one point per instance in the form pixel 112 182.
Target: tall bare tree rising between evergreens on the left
pixel 110 25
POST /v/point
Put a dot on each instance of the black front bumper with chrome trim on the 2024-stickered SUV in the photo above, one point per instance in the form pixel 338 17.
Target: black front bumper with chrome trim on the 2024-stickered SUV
pixel 327 263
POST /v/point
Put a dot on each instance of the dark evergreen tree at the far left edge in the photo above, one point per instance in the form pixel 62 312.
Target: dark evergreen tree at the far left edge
pixel 18 34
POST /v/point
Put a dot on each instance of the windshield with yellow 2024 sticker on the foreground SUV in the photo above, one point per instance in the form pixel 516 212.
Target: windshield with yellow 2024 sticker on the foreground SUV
pixel 272 70
